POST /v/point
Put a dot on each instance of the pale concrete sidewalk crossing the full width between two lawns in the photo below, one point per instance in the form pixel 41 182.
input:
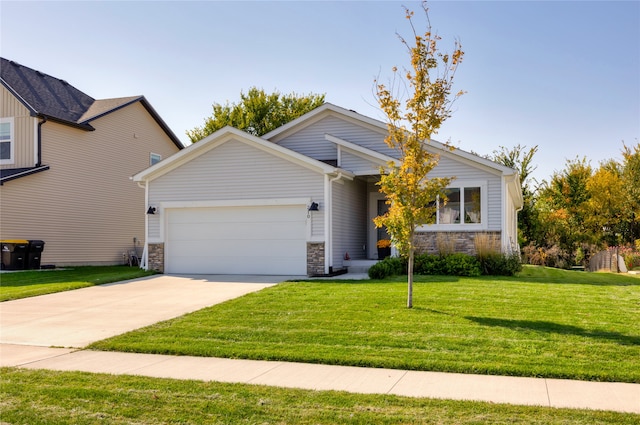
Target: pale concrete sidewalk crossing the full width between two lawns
pixel 613 396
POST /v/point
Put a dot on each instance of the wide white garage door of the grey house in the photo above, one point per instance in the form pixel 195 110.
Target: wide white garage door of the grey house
pixel 237 240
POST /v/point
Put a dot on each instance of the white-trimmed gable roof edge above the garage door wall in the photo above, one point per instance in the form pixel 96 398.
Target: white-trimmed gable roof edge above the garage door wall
pixel 224 135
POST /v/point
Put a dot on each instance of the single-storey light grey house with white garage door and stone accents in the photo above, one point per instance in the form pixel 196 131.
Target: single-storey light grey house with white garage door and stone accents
pixel 301 199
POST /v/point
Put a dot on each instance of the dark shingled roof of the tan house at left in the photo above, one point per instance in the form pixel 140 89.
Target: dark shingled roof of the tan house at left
pixel 55 99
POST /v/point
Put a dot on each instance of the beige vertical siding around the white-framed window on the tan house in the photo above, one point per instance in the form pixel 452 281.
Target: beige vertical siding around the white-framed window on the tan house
pixel 24 130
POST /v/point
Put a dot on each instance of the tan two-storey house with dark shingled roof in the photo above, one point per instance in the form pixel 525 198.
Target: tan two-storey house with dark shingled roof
pixel 66 161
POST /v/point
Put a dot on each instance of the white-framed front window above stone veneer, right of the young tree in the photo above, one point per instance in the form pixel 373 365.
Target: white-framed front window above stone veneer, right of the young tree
pixel 465 205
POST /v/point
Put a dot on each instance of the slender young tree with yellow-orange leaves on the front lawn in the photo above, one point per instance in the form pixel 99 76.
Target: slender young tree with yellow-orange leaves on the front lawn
pixel 411 195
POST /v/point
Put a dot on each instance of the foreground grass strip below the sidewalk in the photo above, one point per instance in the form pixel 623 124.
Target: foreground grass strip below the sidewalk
pixel 44 397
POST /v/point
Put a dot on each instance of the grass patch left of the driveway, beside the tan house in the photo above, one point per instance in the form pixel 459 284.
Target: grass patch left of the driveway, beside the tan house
pixel 30 283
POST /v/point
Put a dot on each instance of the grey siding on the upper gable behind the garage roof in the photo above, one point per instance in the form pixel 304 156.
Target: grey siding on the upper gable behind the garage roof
pixel 310 141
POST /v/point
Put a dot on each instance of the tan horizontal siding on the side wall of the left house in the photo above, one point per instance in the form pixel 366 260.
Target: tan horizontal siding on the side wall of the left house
pixel 85 207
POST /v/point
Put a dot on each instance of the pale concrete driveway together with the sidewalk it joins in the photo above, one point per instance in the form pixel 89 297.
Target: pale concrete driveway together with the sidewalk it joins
pixel 74 319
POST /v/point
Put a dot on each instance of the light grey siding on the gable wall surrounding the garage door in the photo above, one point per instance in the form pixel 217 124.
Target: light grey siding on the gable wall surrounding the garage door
pixel 237 171
